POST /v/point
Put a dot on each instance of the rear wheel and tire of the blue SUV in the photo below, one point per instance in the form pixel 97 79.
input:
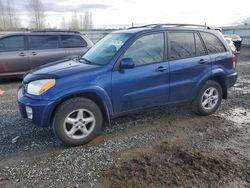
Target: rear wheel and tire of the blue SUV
pixel 208 99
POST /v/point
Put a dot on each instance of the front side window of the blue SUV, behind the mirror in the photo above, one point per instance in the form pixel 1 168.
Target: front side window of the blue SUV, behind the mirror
pixel 147 49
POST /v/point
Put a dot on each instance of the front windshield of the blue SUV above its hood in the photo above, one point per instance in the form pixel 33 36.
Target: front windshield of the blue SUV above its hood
pixel 103 51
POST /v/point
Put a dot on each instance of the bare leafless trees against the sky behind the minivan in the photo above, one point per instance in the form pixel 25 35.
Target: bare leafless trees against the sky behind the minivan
pixel 9 20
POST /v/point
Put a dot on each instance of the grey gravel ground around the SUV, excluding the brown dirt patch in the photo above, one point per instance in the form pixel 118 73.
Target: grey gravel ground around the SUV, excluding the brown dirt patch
pixel 32 157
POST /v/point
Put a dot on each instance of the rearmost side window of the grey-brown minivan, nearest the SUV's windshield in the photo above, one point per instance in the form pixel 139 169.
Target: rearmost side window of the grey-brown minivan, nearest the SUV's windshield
pixel 73 41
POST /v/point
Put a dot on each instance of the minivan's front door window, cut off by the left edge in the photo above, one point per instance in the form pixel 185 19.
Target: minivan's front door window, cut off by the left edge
pixel 14 43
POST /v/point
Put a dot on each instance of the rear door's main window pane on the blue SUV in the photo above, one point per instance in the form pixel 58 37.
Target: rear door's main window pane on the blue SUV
pixel 181 45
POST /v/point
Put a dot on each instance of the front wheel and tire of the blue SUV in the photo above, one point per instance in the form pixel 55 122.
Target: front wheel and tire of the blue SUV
pixel 77 121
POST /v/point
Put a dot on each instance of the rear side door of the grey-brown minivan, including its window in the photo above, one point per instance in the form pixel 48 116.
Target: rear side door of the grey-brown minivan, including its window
pixel 44 49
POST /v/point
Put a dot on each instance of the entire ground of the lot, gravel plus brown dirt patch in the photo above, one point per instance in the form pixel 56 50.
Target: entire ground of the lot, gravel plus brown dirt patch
pixel 166 147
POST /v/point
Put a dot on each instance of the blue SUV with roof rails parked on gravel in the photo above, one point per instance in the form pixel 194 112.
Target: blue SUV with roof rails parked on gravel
pixel 127 71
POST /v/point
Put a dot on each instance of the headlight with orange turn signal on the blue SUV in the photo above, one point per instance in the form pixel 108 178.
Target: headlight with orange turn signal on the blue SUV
pixel 39 87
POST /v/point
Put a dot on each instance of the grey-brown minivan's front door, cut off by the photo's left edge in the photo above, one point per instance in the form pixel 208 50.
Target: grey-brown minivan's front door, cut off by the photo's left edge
pixel 13 55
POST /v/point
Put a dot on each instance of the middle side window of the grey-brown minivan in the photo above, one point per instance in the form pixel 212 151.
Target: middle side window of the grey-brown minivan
pixel 40 42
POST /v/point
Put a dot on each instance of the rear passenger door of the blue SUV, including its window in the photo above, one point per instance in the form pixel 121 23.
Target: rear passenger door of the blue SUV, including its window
pixel 188 63
